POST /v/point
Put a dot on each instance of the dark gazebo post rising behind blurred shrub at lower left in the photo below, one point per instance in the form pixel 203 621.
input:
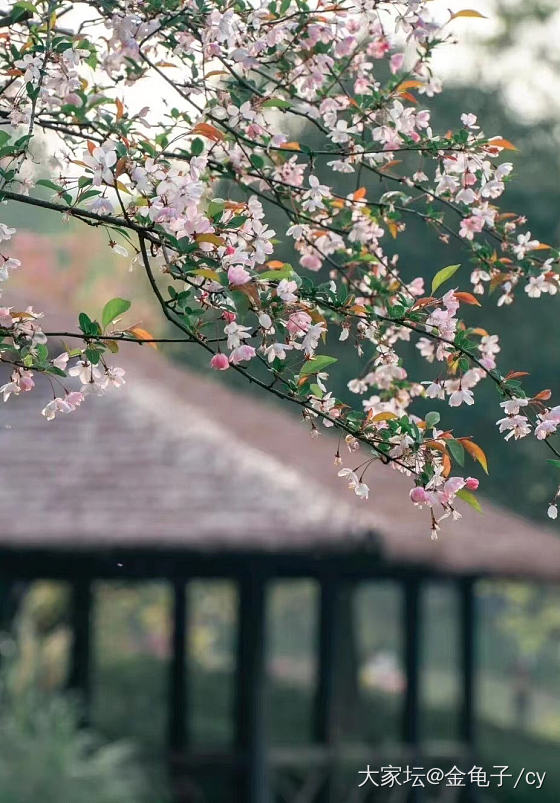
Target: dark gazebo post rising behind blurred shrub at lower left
pixel 79 676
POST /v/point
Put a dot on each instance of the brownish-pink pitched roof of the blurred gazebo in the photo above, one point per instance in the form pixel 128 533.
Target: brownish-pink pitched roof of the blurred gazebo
pixel 176 460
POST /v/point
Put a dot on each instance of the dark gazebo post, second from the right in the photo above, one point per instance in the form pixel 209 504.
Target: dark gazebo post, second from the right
pixel 411 631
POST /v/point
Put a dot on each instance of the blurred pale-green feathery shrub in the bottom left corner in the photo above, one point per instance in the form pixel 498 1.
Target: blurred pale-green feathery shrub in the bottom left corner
pixel 45 754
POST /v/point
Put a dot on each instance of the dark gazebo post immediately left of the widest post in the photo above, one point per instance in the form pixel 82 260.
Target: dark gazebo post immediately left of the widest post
pixel 177 703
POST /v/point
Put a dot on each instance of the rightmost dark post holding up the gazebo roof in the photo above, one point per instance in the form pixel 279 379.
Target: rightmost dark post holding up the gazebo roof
pixel 468 656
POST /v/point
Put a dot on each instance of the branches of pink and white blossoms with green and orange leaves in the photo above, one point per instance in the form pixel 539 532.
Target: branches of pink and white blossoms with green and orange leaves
pixel 275 106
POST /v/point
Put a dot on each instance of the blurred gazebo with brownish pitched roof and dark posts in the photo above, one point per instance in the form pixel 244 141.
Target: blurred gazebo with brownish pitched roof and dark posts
pixel 191 480
